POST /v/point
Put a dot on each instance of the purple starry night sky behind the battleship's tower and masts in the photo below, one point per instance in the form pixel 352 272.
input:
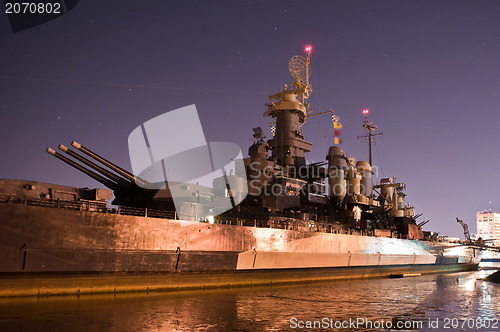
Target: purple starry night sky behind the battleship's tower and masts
pixel 428 71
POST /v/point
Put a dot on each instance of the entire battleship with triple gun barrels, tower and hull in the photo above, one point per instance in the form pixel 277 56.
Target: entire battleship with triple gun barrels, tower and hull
pixel 273 218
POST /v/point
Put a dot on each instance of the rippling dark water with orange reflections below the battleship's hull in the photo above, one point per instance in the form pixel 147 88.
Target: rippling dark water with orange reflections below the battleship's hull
pixel 431 297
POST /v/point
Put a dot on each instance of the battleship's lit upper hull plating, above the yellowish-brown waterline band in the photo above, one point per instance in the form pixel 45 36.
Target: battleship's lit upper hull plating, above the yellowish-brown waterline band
pixel 50 240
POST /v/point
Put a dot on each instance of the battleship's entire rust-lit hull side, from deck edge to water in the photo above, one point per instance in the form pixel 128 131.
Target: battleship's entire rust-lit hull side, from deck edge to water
pixel 49 250
